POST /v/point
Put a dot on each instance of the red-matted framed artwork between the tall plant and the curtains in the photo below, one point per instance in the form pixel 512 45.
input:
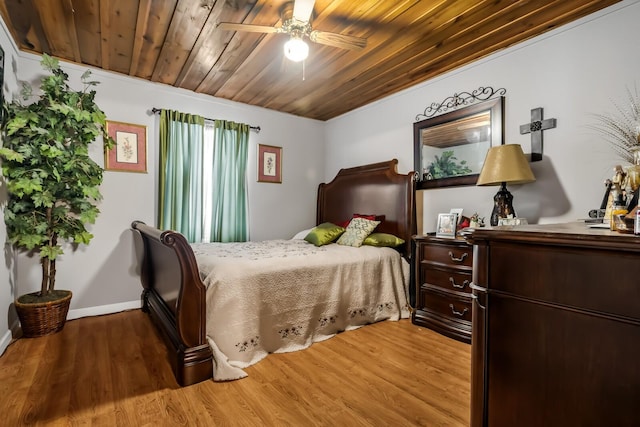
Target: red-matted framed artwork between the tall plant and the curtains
pixel 130 152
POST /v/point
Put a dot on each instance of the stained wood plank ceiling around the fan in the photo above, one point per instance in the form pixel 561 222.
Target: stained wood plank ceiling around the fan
pixel 176 42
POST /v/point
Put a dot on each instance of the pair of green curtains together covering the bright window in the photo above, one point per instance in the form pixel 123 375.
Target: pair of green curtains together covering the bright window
pixel 185 173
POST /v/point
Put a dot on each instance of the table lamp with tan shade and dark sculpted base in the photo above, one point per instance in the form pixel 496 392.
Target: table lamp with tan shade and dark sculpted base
pixel 504 164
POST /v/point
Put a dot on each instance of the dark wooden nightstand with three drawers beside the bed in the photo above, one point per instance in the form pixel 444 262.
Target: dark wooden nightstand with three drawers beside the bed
pixel 443 272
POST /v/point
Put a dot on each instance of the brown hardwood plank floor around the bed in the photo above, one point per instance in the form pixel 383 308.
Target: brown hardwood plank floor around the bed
pixel 112 371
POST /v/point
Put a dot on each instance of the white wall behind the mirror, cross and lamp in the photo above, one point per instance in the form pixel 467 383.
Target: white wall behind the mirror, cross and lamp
pixel 572 72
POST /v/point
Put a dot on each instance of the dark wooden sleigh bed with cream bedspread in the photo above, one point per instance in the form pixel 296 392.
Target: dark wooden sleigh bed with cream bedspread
pixel 177 292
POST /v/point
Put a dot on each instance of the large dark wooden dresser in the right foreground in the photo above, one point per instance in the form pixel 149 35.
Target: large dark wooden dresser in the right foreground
pixel 556 327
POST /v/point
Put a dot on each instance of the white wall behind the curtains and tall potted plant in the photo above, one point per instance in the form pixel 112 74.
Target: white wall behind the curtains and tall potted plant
pixel 103 275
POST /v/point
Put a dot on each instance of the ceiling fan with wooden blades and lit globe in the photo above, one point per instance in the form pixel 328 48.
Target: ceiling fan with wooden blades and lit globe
pixel 296 21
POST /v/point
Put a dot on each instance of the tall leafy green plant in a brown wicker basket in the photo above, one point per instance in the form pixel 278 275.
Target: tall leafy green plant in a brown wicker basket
pixel 52 183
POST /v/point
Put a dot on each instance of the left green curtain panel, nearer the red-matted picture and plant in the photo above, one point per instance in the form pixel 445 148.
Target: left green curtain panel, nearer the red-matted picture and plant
pixel 180 173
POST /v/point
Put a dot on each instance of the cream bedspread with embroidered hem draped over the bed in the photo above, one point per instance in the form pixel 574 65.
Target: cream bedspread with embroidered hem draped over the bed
pixel 280 296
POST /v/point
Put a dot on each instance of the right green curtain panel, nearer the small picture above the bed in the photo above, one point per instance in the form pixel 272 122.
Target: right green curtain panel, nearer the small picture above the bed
pixel 229 198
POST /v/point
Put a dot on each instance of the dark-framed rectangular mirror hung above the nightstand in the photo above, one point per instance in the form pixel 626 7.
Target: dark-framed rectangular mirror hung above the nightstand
pixel 449 149
